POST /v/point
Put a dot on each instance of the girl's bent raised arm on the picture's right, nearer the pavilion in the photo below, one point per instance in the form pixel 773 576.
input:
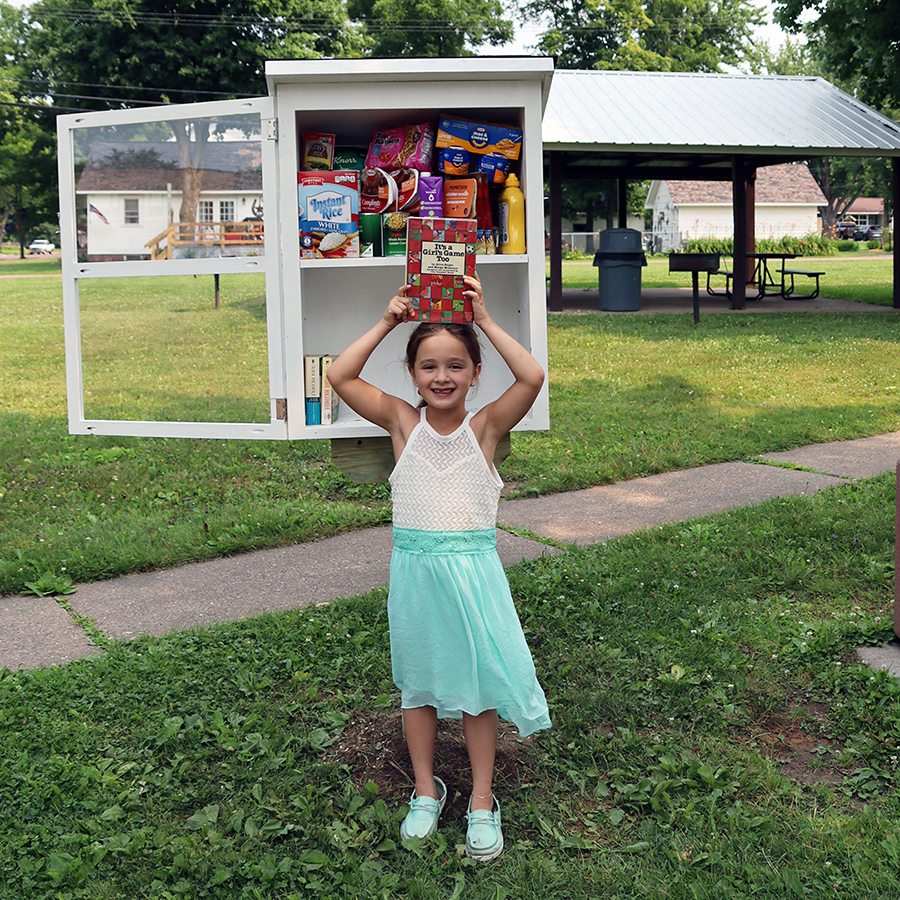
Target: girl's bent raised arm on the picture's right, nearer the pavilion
pixel 509 409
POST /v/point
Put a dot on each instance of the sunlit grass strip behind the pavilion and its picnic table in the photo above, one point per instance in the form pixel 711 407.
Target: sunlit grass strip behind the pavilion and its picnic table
pixel 864 279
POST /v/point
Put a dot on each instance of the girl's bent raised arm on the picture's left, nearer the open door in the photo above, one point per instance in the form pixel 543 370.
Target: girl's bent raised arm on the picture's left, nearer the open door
pixel 369 401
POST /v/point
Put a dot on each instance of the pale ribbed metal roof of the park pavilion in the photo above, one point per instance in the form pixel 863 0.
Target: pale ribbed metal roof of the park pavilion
pixel 653 124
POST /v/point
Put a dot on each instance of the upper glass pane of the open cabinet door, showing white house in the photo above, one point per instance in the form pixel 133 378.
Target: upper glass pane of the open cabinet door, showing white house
pixel 142 191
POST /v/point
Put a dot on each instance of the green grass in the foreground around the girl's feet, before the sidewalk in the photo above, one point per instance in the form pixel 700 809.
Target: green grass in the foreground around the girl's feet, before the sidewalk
pixel 264 758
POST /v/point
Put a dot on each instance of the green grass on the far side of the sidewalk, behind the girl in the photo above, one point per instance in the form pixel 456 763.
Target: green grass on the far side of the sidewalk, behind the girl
pixel 629 396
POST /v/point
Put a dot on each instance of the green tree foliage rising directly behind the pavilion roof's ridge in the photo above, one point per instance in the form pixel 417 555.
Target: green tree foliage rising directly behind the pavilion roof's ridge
pixel 645 35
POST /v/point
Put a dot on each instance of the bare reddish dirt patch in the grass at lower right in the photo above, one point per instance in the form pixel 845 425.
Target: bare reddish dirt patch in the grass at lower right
pixel 795 738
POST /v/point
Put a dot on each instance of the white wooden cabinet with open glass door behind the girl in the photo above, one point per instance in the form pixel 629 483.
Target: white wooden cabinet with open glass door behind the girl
pixel 112 163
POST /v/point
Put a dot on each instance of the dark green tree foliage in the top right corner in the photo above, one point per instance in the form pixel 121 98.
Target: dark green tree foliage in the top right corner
pixel 857 41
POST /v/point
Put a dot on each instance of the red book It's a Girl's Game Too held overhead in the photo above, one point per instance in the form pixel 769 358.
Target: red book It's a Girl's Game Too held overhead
pixel 439 253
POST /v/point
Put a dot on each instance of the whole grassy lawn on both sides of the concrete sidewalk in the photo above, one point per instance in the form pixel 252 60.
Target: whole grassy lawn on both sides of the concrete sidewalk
pixel 714 735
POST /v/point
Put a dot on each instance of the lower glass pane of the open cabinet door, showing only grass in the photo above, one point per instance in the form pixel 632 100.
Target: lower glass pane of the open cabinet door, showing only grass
pixel 161 349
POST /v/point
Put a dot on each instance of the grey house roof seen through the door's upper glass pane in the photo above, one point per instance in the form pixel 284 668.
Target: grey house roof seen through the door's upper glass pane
pixel 153 165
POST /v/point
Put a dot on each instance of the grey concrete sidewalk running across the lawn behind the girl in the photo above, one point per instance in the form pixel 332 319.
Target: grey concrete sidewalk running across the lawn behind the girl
pixel 41 632
